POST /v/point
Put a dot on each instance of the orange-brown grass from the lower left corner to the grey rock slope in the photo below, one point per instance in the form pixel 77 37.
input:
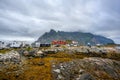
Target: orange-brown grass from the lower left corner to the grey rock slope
pixel 33 69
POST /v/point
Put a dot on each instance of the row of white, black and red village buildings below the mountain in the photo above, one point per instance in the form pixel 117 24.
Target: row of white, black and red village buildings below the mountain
pixel 57 43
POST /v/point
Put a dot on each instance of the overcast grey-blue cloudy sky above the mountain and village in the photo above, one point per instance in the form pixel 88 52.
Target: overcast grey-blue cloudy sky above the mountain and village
pixel 29 19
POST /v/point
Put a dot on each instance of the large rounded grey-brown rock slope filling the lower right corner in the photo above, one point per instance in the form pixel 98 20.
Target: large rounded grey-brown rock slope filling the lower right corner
pixel 87 69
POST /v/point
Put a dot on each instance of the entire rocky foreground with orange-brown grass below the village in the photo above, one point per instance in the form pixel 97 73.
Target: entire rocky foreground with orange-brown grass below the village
pixel 72 63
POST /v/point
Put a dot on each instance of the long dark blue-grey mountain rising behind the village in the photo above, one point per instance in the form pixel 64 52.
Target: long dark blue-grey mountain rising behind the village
pixel 82 38
